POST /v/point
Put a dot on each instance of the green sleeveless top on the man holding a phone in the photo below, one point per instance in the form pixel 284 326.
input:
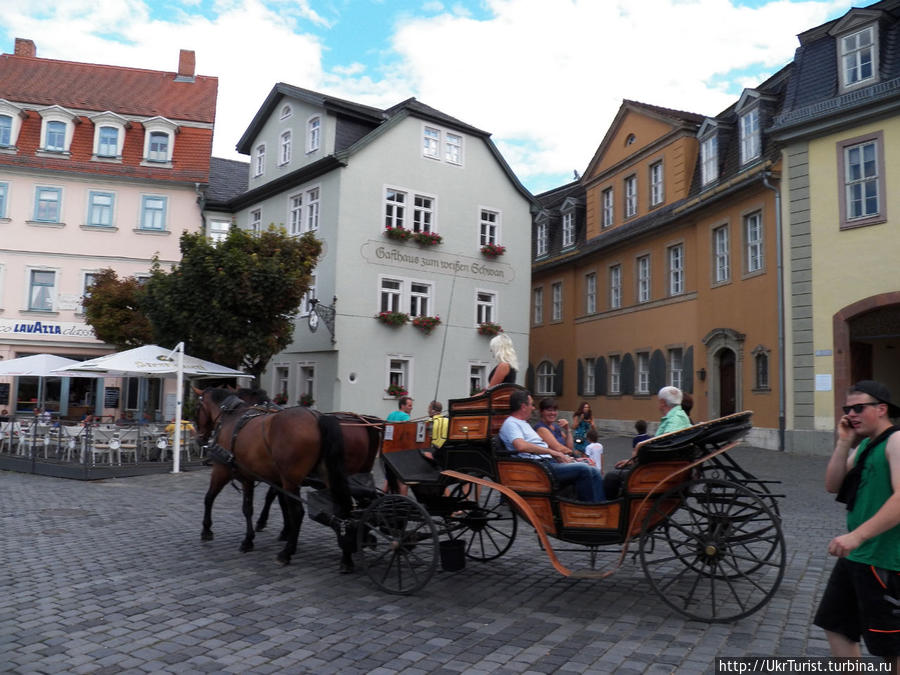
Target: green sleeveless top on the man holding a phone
pixel 874 490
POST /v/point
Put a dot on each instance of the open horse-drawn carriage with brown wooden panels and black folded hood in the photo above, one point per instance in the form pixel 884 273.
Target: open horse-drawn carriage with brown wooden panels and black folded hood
pixel 707 532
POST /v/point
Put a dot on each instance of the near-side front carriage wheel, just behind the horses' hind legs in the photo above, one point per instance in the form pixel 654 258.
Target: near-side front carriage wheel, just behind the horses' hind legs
pixel 398 544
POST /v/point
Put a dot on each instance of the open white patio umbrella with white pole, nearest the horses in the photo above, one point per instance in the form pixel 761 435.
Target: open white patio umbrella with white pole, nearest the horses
pixel 155 360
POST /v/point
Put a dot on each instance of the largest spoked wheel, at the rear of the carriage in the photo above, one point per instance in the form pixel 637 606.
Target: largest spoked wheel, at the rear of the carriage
pixel 712 550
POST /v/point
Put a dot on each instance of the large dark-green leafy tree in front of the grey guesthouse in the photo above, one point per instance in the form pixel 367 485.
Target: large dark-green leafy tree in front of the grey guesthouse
pixel 233 302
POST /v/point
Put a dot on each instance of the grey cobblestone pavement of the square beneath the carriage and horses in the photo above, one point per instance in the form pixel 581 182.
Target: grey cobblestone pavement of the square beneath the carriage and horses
pixel 111 577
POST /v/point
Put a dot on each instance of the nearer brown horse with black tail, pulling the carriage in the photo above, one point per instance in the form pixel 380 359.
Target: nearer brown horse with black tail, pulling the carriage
pixel 283 449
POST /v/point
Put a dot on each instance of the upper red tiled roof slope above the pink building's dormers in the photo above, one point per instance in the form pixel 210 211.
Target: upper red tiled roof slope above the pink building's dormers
pixel 127 91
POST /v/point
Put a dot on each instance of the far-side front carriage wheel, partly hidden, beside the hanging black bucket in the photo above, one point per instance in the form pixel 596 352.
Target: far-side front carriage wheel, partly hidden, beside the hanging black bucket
pixel 485 519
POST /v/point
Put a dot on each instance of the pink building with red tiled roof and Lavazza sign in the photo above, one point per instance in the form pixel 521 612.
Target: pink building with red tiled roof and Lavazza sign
pixel 100 167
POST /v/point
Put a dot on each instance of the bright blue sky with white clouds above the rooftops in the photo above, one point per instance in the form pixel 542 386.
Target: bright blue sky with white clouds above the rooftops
pixel 544 77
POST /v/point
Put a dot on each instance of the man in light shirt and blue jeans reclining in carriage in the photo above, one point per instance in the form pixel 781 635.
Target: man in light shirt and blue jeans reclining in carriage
pixel 523 441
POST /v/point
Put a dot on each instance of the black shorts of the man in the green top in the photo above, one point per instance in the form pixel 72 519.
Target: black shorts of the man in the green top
pixel 862 600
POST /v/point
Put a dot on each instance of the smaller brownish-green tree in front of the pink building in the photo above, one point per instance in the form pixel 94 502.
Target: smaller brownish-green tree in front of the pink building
pixel 113 307
